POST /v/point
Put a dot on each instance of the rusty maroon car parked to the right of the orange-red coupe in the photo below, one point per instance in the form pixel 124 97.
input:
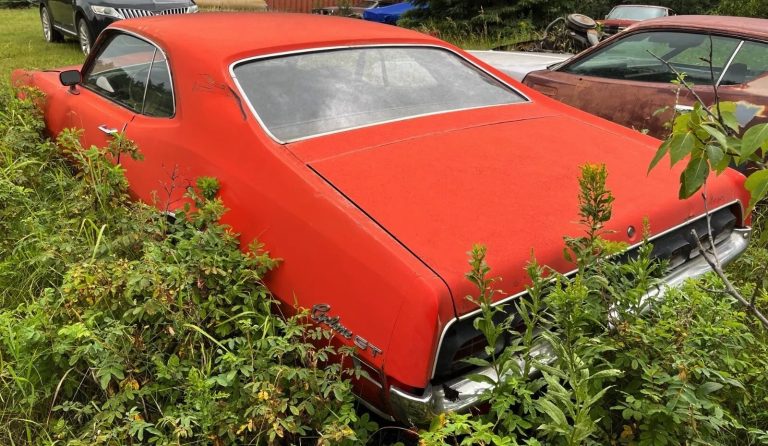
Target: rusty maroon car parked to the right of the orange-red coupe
pixel 623 79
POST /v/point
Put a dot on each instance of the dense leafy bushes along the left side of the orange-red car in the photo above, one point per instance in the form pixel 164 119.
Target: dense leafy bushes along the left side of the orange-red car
pixel 119 325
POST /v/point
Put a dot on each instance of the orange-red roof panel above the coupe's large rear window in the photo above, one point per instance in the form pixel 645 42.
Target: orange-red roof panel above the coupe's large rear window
pixel 227 36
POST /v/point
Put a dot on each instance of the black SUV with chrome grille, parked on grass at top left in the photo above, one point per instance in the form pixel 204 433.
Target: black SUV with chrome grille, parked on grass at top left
pixel 85 19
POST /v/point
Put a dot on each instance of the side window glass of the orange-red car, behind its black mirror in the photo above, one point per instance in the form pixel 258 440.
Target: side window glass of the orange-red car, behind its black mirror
pixel 134 74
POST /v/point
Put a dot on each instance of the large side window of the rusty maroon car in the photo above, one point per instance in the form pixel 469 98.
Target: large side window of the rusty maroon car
pixel 632 58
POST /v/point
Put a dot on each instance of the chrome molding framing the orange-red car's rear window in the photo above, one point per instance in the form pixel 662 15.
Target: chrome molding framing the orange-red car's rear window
pixel 526 99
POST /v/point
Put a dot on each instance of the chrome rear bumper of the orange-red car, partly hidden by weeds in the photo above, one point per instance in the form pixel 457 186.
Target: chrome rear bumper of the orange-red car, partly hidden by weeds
pixel 420 409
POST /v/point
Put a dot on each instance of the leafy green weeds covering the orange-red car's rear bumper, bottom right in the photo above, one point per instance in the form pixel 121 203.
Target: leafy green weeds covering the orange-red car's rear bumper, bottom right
pixel 687 369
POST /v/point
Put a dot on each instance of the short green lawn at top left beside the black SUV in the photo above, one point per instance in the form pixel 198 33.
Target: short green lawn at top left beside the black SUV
pixel 22 45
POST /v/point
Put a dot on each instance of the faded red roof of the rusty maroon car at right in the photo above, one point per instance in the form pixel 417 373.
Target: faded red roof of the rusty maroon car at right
pixel 743 26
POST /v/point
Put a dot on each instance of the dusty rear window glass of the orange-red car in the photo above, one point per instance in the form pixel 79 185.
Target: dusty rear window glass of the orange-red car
pixel 301 95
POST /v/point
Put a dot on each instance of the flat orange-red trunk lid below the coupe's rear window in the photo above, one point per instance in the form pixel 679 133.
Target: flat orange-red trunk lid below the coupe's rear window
pixel 511 186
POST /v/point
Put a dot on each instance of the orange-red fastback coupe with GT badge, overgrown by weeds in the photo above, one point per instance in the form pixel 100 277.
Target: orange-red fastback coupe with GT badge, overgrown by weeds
pixel 370 159
